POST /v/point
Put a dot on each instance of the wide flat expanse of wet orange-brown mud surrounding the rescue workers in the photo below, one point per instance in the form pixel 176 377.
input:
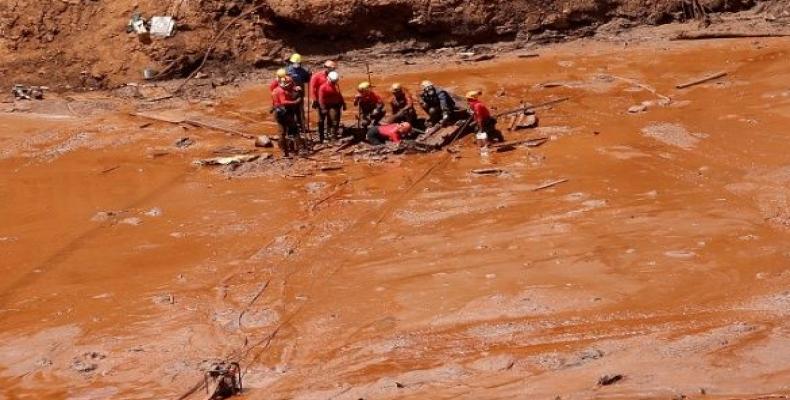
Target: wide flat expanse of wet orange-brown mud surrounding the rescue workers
pixel 663 257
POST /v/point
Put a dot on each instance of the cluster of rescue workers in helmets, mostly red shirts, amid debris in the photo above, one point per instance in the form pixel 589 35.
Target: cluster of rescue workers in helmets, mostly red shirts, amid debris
pixel 289 90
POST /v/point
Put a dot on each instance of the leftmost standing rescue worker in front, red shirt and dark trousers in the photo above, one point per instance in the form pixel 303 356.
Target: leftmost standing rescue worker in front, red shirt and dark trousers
pixel 286 105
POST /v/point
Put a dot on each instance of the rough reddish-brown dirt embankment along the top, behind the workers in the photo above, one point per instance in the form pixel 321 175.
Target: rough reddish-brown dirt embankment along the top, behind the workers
pixel 83 43
